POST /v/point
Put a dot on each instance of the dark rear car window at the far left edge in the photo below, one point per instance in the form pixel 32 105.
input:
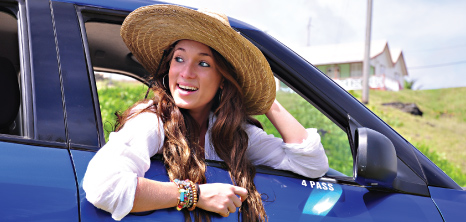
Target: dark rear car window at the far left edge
pixel 10 115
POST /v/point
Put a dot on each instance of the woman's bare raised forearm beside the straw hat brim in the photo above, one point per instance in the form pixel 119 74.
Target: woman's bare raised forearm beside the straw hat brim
pixel 289 128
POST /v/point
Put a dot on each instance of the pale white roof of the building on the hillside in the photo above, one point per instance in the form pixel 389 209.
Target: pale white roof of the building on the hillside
pixel 343 53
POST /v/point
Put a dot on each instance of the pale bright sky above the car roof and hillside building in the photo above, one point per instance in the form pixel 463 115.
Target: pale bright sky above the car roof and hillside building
pixel 431 33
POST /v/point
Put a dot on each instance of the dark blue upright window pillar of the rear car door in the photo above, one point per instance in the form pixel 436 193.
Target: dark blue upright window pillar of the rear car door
pixel 47 93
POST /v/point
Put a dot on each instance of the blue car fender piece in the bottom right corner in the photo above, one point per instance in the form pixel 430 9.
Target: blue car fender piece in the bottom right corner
pixel 451 203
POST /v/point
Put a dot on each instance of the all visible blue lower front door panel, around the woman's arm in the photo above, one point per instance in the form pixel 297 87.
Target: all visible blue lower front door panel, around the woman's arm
pixel 286 199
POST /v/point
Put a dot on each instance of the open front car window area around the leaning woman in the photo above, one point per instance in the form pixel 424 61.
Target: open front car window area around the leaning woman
pixel 111 60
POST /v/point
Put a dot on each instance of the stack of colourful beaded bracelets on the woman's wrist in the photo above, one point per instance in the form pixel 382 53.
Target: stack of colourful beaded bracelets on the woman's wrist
pixel 188 194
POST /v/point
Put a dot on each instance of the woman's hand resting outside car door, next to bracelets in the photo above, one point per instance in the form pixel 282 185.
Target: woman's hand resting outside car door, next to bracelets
pixel 221 198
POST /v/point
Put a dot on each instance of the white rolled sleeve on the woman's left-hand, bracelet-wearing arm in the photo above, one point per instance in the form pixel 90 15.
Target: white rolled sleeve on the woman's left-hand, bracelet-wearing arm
pixel 111 178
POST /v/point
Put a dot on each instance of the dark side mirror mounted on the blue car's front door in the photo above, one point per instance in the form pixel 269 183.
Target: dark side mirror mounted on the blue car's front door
pixel 375 159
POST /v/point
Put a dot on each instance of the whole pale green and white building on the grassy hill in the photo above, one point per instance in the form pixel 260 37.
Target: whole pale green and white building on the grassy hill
pixel 344 63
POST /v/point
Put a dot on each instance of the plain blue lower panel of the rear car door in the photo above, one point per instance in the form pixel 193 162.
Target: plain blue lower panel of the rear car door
pixel 36 184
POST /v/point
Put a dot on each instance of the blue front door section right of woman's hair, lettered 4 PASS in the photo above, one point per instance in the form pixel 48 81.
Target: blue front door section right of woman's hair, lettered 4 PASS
pixel 288 198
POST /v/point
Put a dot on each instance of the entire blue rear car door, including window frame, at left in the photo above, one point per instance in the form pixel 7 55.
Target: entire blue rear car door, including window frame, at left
pixel 37 177
